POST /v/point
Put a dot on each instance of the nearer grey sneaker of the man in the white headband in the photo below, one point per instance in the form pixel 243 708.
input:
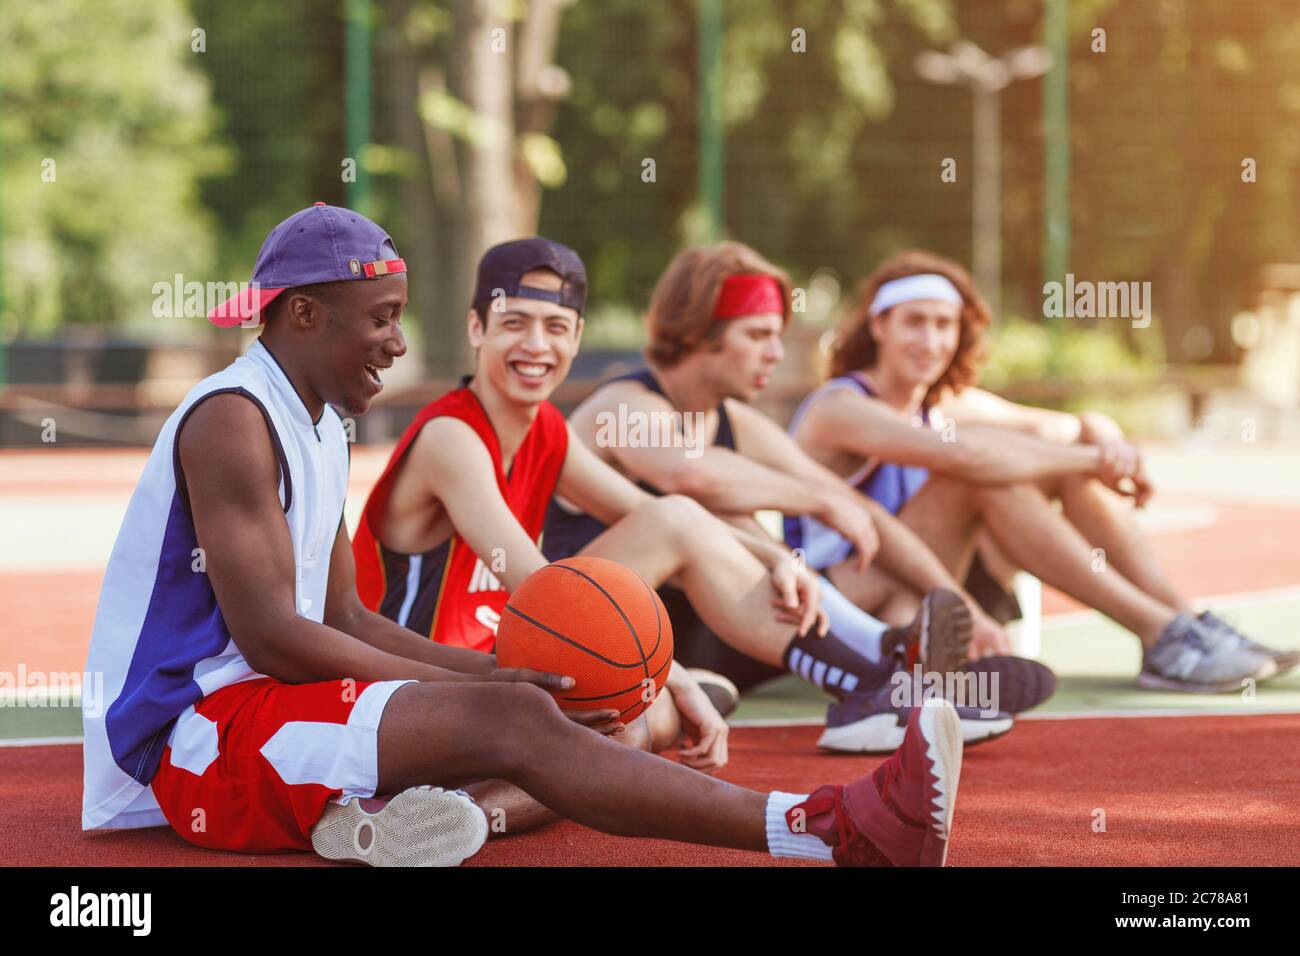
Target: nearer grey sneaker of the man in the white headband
pixel 1194 659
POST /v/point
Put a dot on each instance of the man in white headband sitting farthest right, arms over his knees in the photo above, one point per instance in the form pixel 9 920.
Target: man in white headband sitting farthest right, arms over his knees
pixel 972 473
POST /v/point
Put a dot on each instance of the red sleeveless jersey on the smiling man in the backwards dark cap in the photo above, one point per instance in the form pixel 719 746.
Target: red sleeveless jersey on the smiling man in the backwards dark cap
pixel 449 594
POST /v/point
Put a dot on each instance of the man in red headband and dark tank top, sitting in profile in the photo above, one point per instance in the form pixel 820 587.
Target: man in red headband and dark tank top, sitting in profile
pixel 716 326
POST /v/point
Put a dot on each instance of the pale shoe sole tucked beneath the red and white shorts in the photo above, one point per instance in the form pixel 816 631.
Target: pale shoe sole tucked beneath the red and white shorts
pixel 423 827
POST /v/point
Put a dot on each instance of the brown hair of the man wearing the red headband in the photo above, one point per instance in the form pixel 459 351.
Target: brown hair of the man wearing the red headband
pixel 681 318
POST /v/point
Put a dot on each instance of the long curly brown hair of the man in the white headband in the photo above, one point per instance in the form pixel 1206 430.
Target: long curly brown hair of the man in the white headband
pixel 856 348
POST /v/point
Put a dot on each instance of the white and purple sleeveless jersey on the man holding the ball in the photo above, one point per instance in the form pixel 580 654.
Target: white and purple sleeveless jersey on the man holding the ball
pixel 159 639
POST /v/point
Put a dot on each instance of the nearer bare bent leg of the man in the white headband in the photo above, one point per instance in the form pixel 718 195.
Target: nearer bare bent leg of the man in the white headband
pixel 947 513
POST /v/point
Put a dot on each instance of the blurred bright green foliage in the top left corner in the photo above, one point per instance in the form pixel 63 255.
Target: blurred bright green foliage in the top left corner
pixel 111 94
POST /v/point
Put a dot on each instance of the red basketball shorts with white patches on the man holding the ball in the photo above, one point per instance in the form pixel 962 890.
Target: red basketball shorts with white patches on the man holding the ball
pixel 253 767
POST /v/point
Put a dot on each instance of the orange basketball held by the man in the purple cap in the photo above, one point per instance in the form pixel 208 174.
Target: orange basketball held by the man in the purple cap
pixel 597 622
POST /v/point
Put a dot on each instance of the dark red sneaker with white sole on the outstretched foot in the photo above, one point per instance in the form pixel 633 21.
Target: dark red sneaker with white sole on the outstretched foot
pixel 903 814
